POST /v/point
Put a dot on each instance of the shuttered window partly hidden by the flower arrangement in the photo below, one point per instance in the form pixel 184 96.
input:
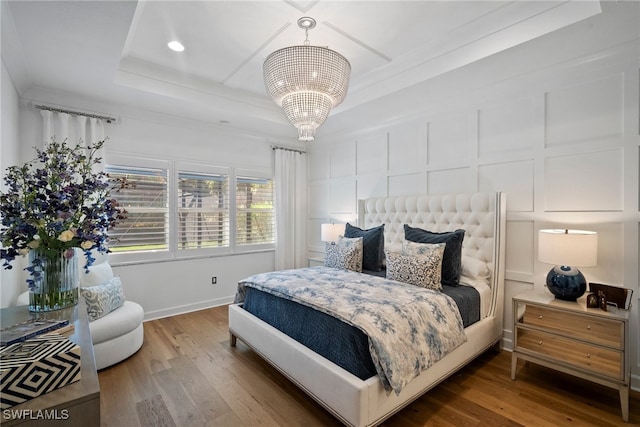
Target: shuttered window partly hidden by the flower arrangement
pixel 146 201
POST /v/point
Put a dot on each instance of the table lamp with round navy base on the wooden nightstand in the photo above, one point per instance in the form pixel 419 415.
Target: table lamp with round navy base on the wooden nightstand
pixel 567 248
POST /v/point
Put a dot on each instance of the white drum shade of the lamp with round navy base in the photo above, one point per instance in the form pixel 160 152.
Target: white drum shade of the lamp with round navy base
pixel 568 247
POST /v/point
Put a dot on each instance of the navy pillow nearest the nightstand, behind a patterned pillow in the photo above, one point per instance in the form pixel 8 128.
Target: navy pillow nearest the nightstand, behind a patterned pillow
pixel 452 259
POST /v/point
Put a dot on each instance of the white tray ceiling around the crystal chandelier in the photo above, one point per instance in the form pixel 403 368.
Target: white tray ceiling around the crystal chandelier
pixel 116 51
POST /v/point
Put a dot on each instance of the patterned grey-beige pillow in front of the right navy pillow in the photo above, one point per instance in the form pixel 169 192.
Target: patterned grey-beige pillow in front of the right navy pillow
pixel 423 270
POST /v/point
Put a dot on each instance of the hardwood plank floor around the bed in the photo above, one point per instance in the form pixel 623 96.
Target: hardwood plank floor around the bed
pixel 186 374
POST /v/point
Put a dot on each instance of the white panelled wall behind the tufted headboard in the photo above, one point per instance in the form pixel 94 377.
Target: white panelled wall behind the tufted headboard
pixel 553 123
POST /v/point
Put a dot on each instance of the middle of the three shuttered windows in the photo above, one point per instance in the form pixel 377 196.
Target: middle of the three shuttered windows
pixel 203 210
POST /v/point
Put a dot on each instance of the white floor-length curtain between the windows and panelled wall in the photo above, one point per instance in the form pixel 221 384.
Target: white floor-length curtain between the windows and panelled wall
pixel 291 209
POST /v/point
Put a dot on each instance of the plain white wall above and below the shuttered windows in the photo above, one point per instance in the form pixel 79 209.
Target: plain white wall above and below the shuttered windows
pixel 173 286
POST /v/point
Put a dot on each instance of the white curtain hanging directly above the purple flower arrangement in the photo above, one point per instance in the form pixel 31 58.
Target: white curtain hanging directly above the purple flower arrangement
pixel 74 128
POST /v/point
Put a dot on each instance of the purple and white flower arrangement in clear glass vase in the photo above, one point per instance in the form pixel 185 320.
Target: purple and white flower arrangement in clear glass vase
pixel 53 205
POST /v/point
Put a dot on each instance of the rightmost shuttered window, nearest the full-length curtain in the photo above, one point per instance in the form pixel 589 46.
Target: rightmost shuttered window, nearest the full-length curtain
pixel 255 213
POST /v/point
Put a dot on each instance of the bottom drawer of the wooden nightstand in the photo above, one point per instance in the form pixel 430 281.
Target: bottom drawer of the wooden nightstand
pixel 594 358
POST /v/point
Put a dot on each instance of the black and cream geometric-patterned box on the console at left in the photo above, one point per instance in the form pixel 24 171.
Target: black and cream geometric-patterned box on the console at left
pixel 37 366
